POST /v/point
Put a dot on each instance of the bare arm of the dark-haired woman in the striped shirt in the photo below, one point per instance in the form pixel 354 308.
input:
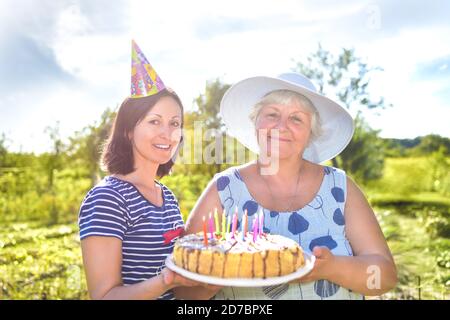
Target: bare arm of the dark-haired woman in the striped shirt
pixel 102 258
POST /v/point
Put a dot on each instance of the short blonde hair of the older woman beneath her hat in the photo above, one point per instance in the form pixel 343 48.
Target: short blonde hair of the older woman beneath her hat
pixel 285 97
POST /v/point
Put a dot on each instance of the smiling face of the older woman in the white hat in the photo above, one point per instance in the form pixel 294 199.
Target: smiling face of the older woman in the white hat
pixel 283 129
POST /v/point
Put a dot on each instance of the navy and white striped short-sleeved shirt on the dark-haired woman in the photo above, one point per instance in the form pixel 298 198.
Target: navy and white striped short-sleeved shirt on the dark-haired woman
pixel 116 208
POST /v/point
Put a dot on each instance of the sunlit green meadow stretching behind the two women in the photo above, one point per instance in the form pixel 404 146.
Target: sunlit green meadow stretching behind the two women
pixel 40 256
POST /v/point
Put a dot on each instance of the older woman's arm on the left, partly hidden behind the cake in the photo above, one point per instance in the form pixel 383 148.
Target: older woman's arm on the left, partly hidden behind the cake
pixel 208 201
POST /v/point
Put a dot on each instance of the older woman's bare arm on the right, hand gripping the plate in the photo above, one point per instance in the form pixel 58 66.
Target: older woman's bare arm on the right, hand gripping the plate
pixel 371 271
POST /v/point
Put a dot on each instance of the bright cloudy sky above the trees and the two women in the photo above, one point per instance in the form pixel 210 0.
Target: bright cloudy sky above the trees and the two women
pixel 66 61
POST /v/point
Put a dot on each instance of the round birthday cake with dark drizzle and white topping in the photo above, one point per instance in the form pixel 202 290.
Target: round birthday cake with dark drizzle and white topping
pixel 234 256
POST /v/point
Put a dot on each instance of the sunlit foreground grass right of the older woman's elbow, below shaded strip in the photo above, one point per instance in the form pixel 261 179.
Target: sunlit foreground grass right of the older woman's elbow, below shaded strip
pixel 415 253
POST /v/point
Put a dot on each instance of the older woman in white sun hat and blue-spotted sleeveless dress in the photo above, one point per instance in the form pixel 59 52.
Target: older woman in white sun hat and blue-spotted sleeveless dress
pixel 293 129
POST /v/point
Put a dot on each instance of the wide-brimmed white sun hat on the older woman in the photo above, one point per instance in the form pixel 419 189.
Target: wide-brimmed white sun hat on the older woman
pixel 239 100
